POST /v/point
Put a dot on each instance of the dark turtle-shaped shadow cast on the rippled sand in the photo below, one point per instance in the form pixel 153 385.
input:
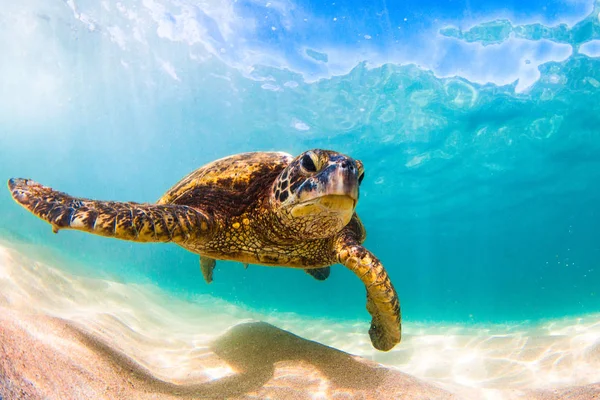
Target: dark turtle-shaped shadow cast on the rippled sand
pixel 253 350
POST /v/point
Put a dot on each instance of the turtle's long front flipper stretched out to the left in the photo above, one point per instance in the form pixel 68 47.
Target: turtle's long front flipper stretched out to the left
pixel 127 221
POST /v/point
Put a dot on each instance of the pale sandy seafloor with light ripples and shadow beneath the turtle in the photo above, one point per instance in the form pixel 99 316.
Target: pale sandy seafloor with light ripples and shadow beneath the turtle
pixel 64 335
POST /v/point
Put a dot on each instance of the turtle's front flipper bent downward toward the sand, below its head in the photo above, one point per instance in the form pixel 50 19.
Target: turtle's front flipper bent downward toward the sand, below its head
pixel 382 300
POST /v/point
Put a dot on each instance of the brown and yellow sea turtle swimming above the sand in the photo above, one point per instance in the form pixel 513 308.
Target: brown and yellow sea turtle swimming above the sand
pixel 265 208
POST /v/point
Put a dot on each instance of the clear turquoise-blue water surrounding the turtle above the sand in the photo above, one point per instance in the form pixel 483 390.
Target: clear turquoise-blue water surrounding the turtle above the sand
pixel 478 124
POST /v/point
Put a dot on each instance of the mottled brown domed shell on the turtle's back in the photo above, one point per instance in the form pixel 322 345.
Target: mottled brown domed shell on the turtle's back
pixel 229 185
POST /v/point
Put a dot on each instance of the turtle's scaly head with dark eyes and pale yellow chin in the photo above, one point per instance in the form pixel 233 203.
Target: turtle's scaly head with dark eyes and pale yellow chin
pixel 317 192
